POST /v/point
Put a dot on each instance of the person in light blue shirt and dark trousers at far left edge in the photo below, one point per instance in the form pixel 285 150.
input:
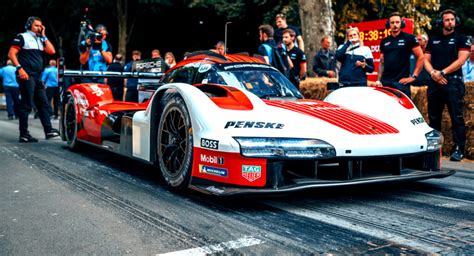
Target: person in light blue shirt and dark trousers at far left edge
pixel 12 91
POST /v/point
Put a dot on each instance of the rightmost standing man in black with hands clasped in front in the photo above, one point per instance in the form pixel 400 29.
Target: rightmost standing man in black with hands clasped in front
pixel 444 57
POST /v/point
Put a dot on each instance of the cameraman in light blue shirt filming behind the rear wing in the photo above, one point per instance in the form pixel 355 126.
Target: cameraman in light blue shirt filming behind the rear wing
pixel 96 52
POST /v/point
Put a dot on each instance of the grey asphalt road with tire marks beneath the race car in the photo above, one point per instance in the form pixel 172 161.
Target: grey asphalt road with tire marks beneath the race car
pixel 57 202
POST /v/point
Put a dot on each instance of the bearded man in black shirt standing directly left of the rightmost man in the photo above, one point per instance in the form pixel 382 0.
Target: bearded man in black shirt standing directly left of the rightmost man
pixel 395 51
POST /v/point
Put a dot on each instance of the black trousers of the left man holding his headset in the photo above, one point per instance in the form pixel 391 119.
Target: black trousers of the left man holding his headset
pixel 33 92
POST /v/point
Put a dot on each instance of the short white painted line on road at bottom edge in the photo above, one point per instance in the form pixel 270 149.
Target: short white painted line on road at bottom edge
pixel 235 244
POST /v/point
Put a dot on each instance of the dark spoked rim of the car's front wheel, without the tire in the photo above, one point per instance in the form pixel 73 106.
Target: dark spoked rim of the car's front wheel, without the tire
pixel 173 141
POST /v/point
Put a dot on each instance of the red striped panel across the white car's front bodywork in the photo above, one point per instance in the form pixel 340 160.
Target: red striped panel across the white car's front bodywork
pixel 348 120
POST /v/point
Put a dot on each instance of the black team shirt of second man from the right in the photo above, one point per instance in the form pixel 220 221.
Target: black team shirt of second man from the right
pixel 396 54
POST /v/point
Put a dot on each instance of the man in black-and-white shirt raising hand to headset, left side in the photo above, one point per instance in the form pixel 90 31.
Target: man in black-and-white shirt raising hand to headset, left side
pixel 26 53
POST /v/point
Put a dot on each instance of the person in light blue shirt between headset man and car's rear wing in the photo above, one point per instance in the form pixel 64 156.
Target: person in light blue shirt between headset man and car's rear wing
pixel 50 80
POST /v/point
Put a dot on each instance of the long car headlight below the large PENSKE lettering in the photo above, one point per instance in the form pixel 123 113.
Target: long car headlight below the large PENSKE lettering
pixel 285 148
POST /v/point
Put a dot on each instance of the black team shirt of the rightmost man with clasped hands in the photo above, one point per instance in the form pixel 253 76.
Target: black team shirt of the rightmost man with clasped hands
pixel 444 50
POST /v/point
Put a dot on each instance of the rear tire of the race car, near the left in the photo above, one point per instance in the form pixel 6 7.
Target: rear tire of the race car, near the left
pixel 70 123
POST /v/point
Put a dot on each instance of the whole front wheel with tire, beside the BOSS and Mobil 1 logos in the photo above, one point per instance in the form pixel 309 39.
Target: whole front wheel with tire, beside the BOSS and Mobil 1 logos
pixel 175 143
